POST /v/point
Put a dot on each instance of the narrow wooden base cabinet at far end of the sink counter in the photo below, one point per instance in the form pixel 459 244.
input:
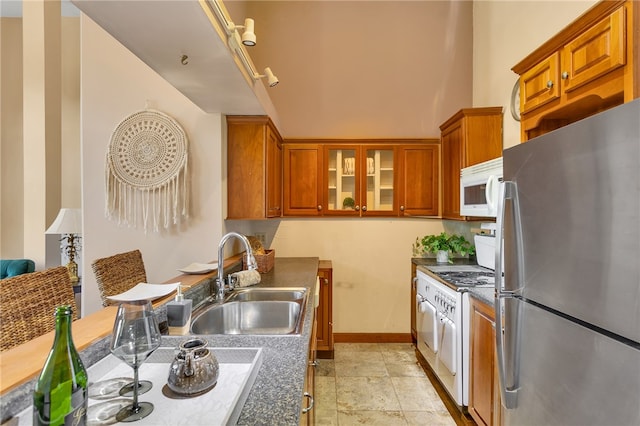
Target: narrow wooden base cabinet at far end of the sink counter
pixel 324 311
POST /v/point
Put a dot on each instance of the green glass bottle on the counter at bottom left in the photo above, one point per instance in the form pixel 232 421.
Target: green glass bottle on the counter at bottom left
pixel 60 394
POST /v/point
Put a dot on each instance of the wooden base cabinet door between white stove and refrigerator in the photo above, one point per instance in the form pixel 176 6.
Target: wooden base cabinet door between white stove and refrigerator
pixel 484 394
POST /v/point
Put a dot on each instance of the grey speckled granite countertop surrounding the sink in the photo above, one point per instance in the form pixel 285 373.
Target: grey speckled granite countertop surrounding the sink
pixel 276 395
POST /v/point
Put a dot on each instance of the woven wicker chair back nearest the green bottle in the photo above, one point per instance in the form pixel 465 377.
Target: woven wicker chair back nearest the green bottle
pixel 28 302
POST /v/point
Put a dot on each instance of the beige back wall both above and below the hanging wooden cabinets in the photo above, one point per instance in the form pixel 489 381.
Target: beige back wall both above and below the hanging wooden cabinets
pixel 354 69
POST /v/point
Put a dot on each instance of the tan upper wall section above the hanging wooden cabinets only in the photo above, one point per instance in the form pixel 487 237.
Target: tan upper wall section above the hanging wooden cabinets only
pixel 351 69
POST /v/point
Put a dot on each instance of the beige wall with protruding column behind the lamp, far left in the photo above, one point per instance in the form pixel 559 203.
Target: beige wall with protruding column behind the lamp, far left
pixel 48 163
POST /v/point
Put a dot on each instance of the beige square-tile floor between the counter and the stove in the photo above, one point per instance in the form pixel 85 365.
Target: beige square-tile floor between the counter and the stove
pixel 376 384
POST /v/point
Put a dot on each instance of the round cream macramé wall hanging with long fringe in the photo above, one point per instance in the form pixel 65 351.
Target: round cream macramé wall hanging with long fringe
pixel 146 171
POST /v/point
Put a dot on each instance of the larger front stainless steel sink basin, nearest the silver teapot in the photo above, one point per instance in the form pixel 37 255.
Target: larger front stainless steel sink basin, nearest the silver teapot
pixel 250 317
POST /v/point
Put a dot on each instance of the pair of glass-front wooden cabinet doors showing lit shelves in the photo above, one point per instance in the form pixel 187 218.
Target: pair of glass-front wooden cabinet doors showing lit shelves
pixel 361 180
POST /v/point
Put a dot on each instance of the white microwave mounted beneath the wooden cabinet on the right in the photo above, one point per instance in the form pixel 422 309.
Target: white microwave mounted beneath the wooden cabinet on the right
pixel 479 188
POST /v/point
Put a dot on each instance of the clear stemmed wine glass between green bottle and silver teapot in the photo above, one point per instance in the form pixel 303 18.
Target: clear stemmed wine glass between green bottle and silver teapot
pixel 135 336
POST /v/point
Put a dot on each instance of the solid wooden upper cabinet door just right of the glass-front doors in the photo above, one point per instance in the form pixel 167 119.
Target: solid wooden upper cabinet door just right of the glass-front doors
pixel 419 179
